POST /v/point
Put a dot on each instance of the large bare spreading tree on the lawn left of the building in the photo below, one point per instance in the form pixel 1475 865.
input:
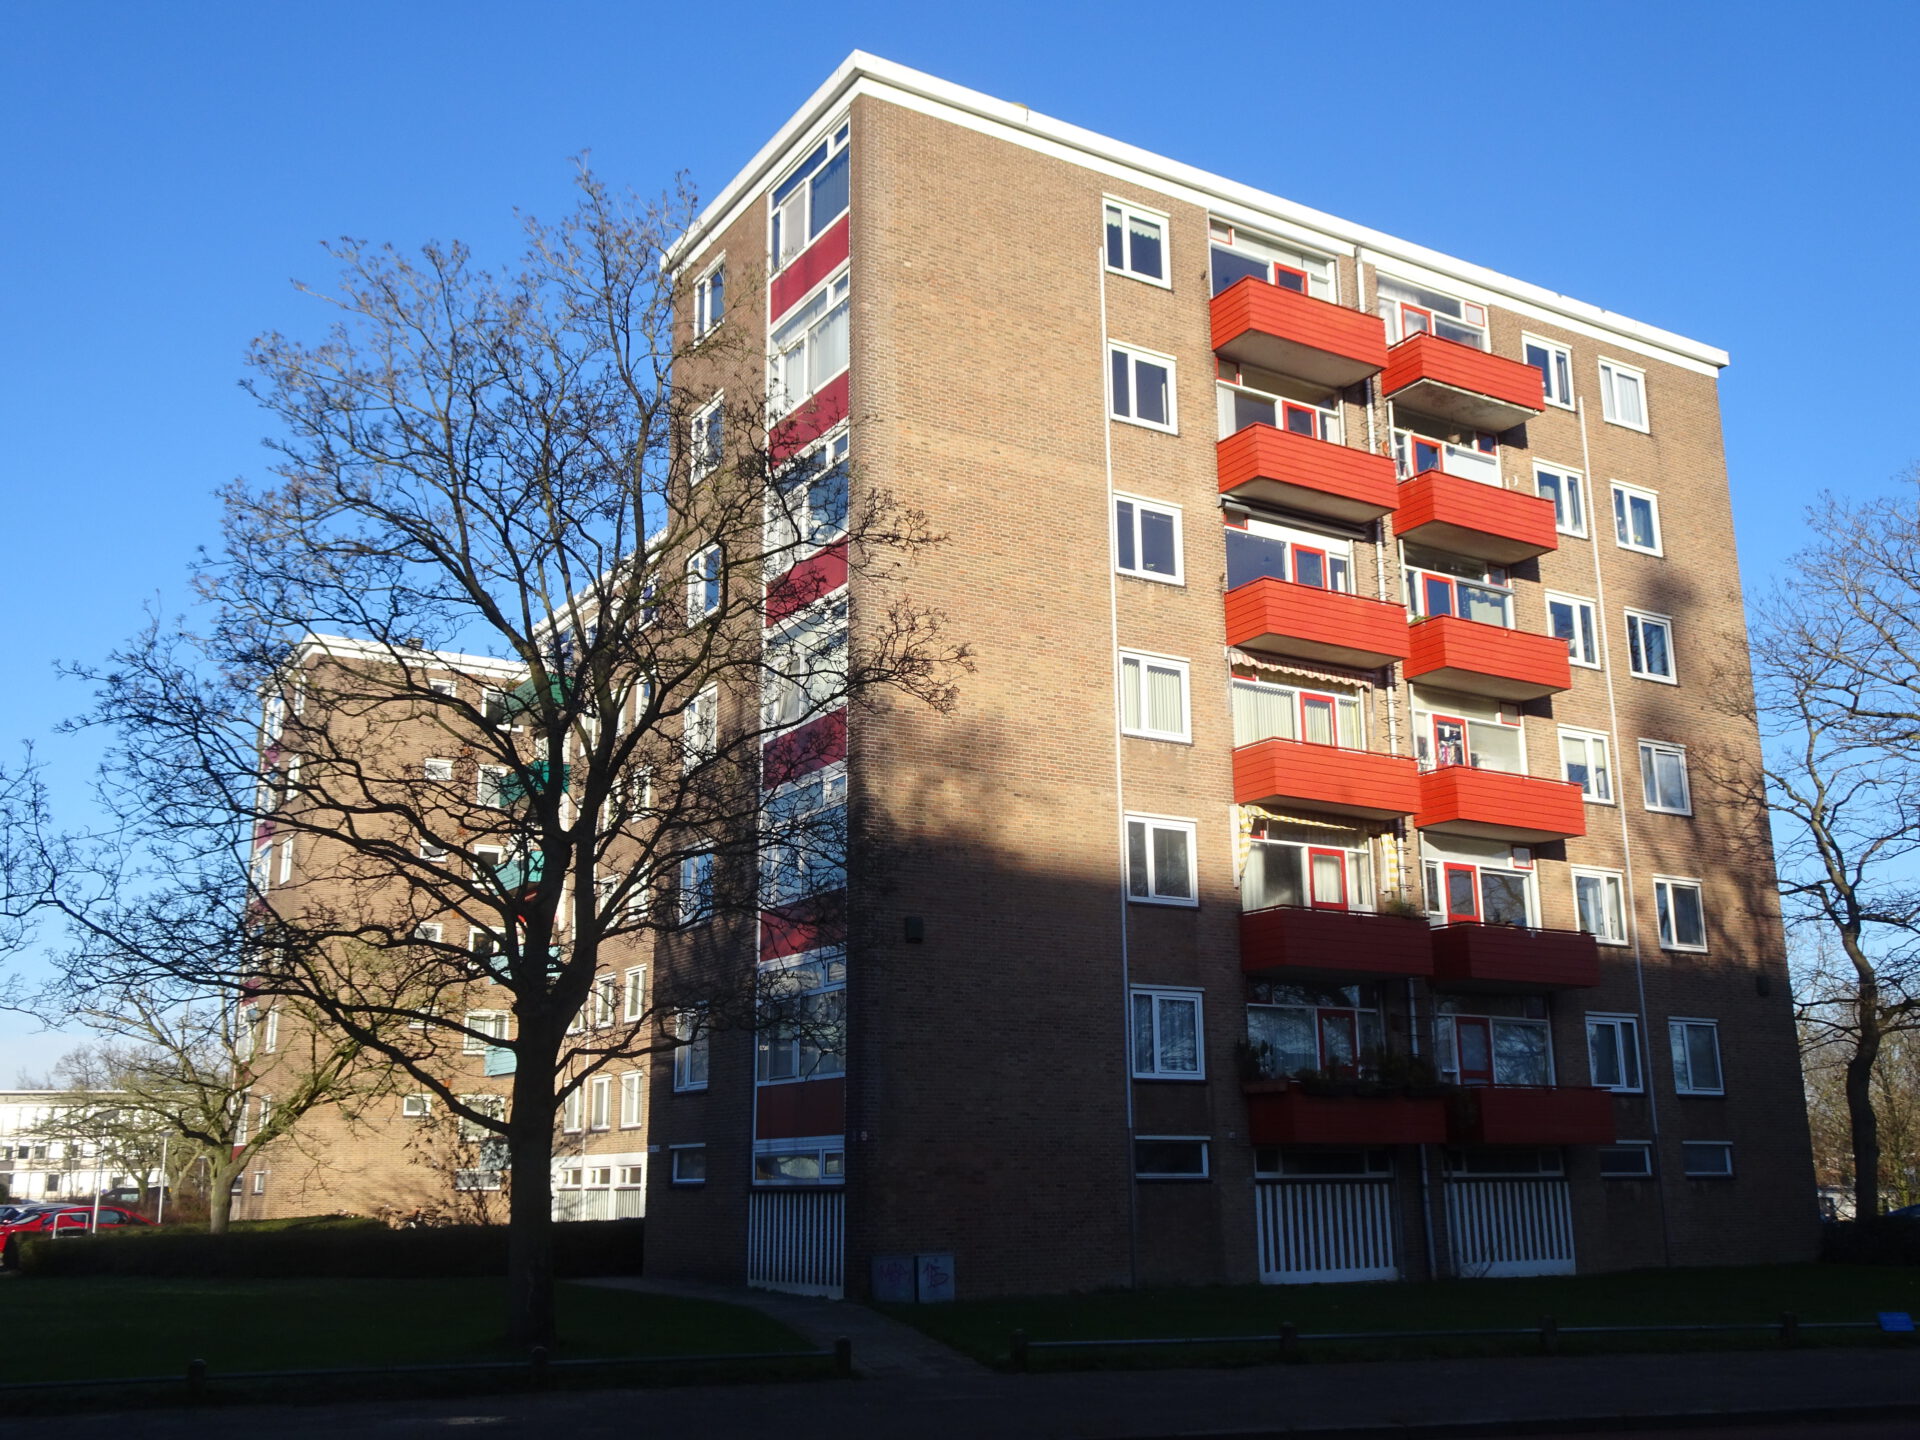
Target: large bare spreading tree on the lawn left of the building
pixel 550 533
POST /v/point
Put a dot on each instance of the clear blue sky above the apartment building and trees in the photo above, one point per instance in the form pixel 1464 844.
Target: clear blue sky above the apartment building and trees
pixel 1735 174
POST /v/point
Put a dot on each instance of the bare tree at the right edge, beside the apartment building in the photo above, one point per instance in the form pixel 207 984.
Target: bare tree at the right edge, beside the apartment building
pixel 1836 650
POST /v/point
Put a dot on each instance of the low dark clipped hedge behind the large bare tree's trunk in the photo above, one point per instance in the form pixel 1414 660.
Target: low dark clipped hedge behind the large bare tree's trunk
pixel 592 1247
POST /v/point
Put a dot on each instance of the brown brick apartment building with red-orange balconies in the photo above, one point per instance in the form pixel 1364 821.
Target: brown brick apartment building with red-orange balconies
pixel 1322 875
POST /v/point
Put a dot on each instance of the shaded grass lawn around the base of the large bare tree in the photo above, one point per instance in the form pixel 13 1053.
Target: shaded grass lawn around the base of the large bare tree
pixel 128 1328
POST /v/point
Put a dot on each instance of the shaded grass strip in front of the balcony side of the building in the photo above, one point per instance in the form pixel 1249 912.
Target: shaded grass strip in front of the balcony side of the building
pixel 1666 1297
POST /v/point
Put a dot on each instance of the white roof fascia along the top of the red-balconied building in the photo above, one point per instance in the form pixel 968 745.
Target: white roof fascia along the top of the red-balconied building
pixel 863 74
